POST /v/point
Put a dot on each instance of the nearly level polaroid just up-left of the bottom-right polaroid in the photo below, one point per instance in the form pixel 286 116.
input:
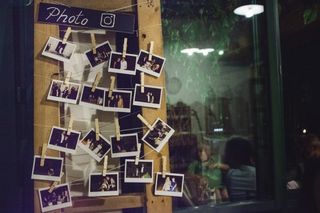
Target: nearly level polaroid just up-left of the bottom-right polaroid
pixel 141 173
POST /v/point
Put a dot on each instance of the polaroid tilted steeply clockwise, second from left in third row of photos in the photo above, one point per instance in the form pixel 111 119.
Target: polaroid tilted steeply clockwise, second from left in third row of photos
pixel 96 149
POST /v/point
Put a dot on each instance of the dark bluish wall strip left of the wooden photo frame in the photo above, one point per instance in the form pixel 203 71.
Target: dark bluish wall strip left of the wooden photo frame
pixel 16 106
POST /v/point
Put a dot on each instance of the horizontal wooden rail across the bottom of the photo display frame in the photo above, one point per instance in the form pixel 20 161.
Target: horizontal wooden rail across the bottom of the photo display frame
pixel 103 204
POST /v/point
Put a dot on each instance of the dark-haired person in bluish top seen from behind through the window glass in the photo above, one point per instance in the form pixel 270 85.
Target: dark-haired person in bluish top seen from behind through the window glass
pixel 240 179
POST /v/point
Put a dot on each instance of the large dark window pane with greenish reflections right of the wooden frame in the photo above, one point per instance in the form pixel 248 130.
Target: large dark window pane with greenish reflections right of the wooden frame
pixel 217 101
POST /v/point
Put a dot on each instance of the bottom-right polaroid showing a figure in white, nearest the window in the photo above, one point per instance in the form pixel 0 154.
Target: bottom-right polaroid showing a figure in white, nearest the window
pixel 170 185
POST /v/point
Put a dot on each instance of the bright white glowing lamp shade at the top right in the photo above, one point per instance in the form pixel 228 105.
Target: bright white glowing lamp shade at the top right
pixel 249 8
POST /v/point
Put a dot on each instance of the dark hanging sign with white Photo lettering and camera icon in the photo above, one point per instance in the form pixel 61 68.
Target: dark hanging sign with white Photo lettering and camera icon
pixel 80 17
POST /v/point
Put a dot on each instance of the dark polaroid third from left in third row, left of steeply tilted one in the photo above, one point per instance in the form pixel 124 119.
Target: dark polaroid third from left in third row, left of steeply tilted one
pixel 127 146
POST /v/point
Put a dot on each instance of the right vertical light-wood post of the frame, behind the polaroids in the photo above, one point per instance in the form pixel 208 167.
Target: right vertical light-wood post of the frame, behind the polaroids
pixel 149 24
